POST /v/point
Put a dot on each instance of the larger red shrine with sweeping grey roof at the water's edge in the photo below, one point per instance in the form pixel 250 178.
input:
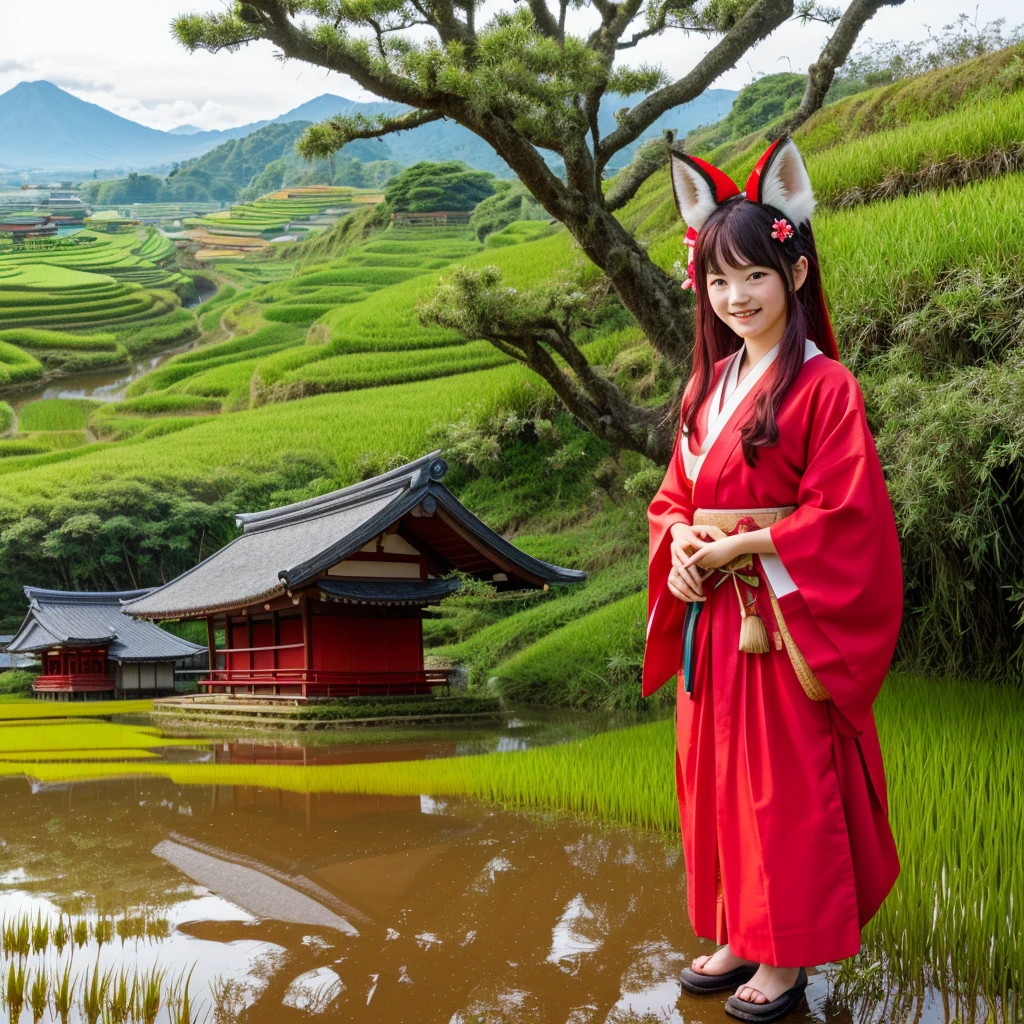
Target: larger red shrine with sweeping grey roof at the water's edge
pixel 327 598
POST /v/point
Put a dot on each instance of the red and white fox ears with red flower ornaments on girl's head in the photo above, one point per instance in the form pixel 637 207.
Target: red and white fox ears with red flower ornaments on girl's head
pixel 780 181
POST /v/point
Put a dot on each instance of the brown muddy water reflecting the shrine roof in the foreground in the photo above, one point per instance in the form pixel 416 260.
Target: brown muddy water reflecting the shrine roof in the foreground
pixel 389 910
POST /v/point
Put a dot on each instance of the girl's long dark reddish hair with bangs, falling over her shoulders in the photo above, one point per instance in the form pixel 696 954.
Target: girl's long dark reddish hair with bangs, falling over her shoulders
pixel 739 234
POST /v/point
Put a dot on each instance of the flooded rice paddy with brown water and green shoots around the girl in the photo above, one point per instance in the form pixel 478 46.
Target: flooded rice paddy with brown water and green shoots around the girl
pixel 347 873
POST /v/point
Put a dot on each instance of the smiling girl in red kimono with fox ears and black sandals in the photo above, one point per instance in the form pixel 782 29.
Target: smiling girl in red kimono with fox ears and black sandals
pixel 776 594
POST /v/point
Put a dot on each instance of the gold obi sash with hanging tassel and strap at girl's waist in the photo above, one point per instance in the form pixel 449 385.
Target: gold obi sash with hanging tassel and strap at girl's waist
pixel 754 635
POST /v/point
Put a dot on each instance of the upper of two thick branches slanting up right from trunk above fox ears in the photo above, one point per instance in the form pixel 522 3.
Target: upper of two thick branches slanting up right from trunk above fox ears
pixel 760 21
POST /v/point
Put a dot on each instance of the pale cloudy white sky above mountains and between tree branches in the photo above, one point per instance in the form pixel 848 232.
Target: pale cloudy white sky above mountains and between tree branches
pixel 120 55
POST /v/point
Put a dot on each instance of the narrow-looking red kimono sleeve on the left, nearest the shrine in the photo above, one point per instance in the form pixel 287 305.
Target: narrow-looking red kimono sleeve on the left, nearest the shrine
pixel 673 503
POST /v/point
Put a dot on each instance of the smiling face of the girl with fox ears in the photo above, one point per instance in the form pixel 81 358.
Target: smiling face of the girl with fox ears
pixel 753 300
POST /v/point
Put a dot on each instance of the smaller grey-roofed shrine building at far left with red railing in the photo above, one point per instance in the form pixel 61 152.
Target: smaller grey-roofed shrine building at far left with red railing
pixel 90 649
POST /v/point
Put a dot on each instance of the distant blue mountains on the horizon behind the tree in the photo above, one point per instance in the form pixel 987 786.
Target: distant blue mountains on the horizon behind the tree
pixel 45 129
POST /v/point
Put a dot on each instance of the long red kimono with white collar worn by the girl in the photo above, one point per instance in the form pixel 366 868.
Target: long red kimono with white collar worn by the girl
pixel 783 799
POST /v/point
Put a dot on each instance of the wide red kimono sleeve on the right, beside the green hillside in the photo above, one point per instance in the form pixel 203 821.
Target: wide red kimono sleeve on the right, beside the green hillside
pixel 841 549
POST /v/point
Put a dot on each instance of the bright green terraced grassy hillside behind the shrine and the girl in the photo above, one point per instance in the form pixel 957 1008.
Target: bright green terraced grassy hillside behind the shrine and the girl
pixel 314 371
